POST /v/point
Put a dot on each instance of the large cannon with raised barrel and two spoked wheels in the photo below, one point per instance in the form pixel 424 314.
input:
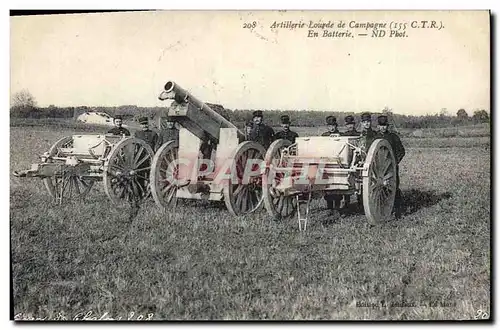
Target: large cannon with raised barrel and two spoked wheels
pixel 211 160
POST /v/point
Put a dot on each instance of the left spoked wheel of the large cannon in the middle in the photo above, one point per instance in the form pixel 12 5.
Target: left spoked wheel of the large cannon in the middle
pixel 164 174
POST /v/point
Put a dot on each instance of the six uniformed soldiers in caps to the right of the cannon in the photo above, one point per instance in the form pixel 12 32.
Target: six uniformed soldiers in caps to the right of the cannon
pixel 257 131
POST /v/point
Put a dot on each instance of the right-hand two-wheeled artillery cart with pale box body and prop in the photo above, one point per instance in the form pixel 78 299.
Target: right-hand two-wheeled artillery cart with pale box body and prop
pixel 332 165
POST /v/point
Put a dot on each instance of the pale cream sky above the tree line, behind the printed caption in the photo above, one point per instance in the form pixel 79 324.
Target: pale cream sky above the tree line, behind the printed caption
pixel 115 59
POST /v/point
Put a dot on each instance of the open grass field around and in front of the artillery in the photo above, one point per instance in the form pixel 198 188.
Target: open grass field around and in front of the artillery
pixel 89 258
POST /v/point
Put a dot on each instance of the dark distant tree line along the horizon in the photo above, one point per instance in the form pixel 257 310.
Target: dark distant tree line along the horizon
pixel 24 106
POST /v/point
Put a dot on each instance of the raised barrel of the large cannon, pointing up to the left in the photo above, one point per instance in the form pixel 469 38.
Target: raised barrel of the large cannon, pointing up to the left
pixel 174 92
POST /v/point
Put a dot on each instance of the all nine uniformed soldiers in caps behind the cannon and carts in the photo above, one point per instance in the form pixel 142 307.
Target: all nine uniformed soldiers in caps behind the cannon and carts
pixel 259 132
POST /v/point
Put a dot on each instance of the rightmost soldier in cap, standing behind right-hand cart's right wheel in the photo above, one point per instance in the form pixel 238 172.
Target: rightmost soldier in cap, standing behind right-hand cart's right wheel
pixel 399 153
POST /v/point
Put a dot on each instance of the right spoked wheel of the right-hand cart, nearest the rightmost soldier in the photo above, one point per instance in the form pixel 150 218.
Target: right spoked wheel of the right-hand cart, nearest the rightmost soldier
pixel 379 181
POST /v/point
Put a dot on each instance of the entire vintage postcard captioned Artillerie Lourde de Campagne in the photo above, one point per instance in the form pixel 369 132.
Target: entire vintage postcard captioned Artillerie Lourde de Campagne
pixel 250 165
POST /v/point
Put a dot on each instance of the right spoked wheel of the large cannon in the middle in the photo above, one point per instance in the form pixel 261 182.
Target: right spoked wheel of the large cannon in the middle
pixel 243 193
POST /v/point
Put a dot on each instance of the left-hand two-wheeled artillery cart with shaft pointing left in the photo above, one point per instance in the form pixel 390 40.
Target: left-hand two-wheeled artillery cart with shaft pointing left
pixel 74 163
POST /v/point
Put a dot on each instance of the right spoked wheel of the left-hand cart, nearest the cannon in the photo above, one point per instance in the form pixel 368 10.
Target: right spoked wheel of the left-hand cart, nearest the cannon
pixel 127 171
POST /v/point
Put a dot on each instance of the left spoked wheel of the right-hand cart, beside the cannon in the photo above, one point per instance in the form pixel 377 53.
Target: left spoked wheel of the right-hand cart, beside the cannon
pixel 277 205
